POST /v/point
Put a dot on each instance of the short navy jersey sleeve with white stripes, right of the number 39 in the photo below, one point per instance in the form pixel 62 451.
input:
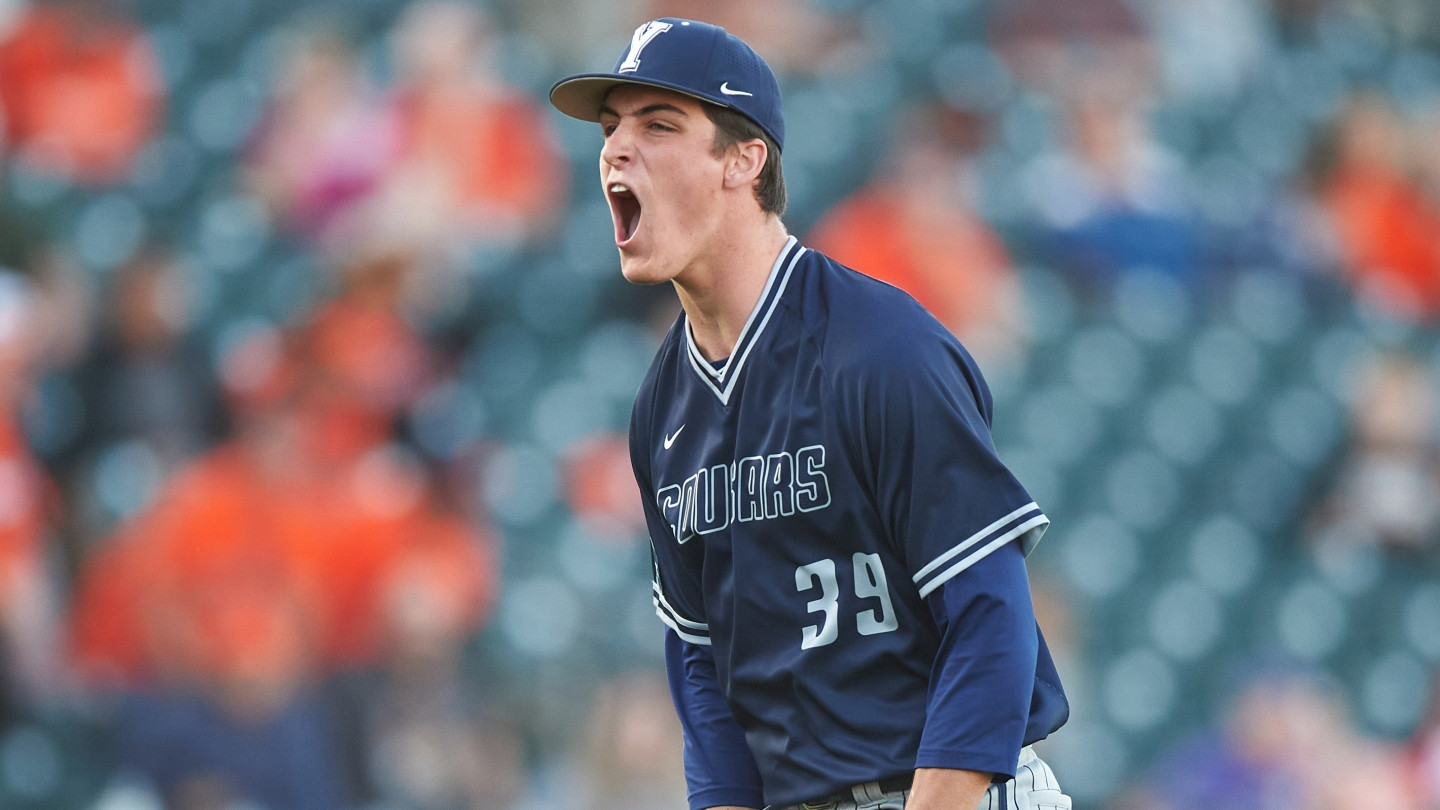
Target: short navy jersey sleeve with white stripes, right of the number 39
pixel 921 419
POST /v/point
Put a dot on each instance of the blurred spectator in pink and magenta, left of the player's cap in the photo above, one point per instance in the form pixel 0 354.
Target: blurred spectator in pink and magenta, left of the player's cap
pixel 325 143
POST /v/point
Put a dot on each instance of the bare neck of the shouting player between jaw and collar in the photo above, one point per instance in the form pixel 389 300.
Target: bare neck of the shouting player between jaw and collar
pixel 721 295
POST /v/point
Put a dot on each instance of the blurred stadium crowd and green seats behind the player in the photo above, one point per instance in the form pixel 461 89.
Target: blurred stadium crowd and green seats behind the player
pixel 316 368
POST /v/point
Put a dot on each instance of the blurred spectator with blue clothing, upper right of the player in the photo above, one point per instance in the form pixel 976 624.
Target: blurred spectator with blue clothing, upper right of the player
pixel 1112 200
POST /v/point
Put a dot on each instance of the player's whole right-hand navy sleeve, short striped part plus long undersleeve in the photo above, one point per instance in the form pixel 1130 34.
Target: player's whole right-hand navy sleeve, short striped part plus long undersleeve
pixel 964 525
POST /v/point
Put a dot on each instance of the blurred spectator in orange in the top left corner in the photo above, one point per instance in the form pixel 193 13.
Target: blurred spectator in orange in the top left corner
pixel 81 92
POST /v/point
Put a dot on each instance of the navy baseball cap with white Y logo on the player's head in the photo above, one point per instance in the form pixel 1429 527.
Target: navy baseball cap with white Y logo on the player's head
pixel 689 57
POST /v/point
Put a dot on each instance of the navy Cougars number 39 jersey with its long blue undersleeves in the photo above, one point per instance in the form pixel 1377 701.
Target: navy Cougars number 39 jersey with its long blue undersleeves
pixel 837 548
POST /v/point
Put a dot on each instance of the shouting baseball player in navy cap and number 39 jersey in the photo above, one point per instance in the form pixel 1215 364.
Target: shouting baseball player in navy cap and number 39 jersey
pixel 837 551
